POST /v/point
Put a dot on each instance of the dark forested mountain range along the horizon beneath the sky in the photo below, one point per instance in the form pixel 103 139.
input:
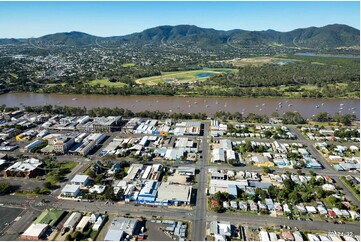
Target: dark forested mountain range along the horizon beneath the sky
pixel 330 36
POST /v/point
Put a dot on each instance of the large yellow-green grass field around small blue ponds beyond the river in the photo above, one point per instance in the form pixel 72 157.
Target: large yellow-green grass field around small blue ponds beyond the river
pixel 181 76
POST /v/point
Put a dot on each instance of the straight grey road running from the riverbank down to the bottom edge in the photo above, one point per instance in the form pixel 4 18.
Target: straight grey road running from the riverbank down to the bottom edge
pixel 199 211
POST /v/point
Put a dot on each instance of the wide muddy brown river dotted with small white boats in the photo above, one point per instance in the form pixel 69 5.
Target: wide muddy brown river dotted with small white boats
pixel 209 105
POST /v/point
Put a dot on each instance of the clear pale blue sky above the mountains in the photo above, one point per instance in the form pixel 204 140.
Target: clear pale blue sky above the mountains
pixel 34 19
